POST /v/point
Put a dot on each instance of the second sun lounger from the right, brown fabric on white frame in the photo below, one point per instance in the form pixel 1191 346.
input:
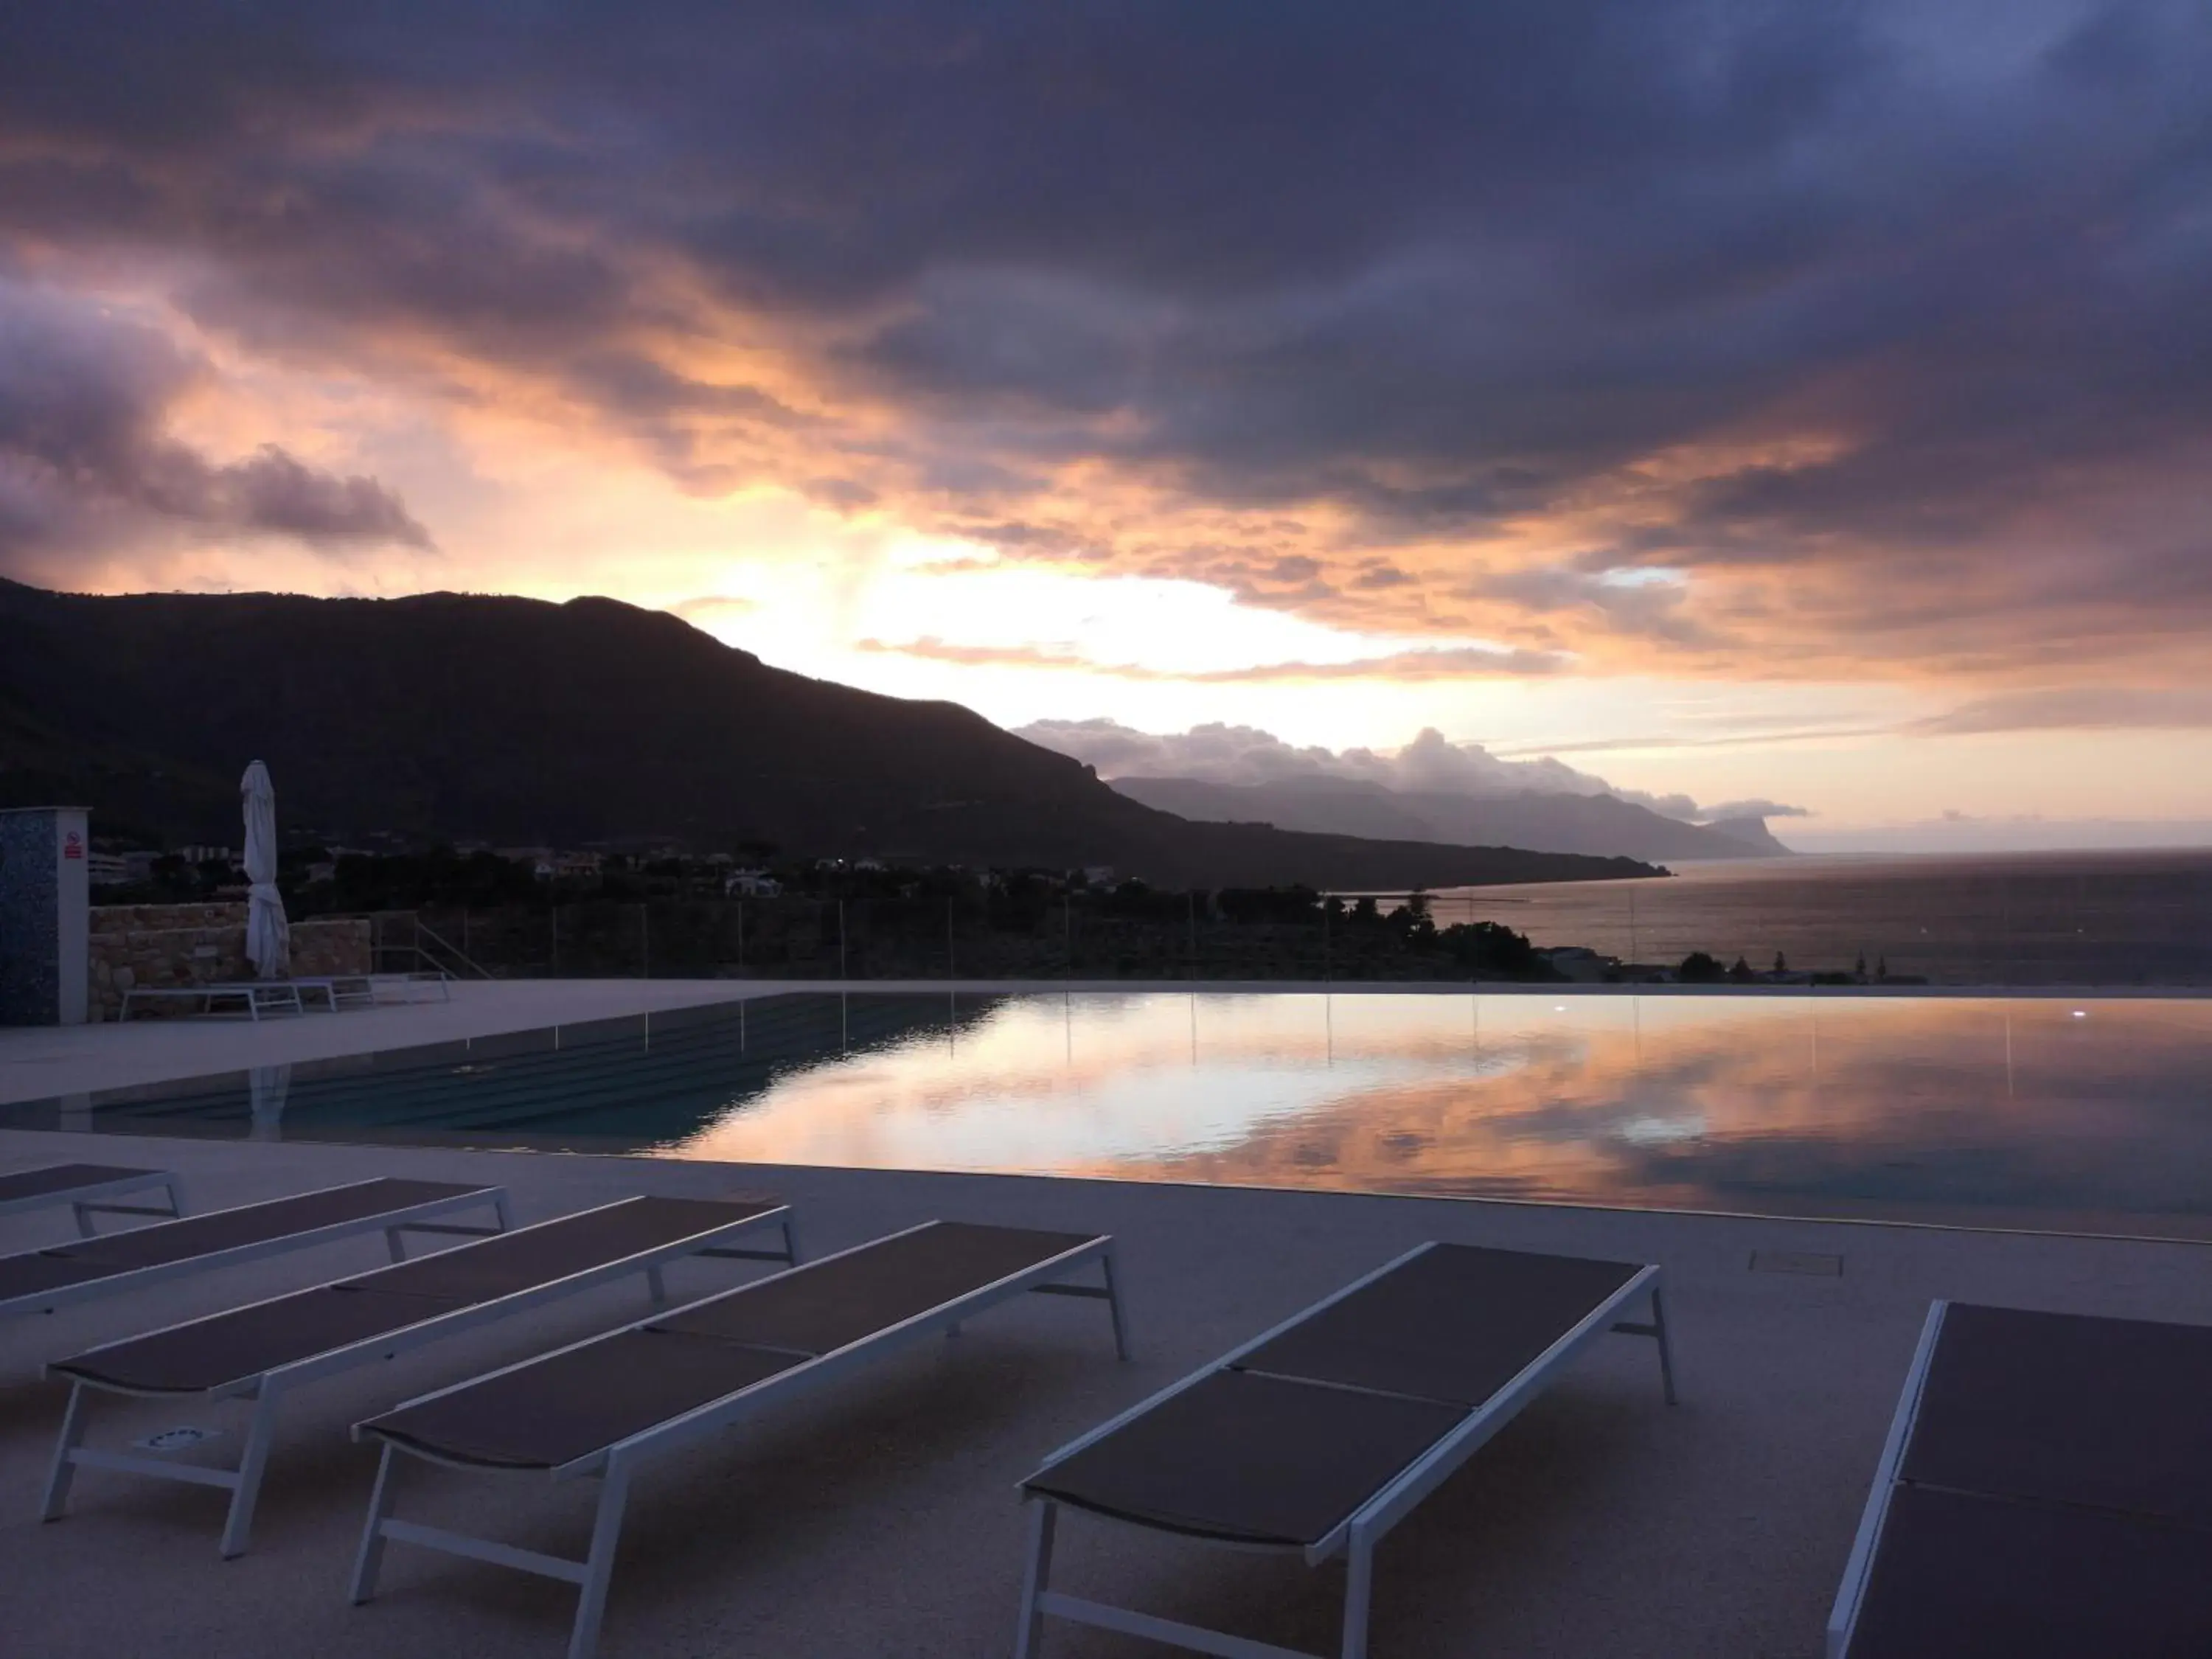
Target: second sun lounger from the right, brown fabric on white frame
pixel 1328 1430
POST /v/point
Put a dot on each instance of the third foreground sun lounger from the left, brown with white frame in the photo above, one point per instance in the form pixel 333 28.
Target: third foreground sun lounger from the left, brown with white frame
pixel 269 1350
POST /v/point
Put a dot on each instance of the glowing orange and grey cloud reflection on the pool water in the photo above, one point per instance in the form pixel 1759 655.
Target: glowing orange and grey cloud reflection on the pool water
pixel 1994 1112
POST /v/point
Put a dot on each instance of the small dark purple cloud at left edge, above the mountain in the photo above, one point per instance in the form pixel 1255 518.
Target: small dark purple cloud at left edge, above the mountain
pixel 83 457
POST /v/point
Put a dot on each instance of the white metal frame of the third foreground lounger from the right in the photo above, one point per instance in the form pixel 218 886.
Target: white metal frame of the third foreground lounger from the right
pixel 618 1465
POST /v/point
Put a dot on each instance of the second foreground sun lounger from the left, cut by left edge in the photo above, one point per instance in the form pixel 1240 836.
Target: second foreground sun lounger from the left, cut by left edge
pixel 41 1282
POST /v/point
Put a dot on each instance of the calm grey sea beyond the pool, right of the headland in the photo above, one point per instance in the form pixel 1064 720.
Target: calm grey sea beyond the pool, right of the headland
pixel 2107 919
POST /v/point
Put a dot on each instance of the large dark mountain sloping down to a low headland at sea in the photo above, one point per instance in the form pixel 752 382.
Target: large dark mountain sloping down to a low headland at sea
pixel 470 718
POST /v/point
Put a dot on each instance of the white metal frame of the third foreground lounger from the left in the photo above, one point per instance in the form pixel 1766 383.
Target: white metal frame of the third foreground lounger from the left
pixel 269 1388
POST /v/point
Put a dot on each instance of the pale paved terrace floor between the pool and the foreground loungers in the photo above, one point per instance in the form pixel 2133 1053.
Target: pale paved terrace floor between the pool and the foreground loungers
pixel 881 1519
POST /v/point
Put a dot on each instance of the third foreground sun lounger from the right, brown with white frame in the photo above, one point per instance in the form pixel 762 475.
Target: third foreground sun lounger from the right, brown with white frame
pixel 620 1401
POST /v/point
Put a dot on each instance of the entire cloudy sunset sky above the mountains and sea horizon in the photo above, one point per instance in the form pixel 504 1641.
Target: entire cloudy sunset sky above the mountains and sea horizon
pixel 1797 404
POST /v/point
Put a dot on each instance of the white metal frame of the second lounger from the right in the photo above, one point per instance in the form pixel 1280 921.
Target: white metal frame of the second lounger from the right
pixel 1359 1534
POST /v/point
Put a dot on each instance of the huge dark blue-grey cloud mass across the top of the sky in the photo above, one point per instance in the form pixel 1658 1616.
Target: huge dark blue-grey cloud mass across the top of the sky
pixel 1437 267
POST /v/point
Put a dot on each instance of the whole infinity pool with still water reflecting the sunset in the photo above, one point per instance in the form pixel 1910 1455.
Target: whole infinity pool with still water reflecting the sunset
pixel 1983 1112
